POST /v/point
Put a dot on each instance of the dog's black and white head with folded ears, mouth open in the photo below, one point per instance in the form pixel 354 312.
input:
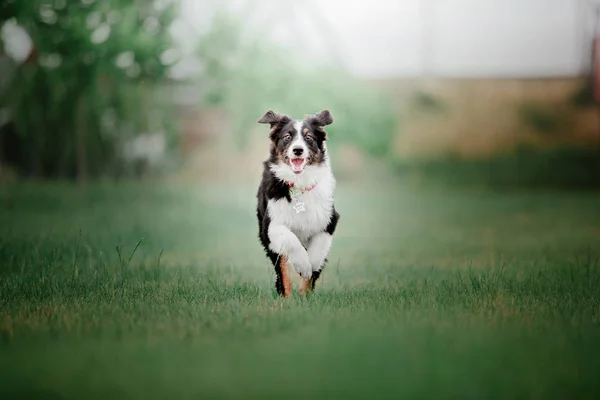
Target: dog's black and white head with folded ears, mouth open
pixel 297 143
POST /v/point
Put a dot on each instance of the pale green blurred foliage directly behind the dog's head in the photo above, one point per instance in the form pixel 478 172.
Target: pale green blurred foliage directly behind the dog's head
pixel 247 76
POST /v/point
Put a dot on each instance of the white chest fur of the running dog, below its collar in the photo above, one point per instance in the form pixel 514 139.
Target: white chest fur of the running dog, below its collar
pixel 318 206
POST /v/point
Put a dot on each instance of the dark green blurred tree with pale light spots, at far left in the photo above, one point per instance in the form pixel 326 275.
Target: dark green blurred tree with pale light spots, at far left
pixel 90 82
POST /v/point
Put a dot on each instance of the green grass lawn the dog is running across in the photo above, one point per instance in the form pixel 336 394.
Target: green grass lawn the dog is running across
pixel 429 293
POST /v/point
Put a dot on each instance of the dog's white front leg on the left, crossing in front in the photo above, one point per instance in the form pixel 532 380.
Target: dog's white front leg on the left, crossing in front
pixel 285 243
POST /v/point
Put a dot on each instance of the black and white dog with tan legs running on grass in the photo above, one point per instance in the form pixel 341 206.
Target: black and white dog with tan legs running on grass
pixel 295 210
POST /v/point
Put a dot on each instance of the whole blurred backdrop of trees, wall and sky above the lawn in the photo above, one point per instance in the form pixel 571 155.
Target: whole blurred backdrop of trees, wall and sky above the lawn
pixel 479 92
